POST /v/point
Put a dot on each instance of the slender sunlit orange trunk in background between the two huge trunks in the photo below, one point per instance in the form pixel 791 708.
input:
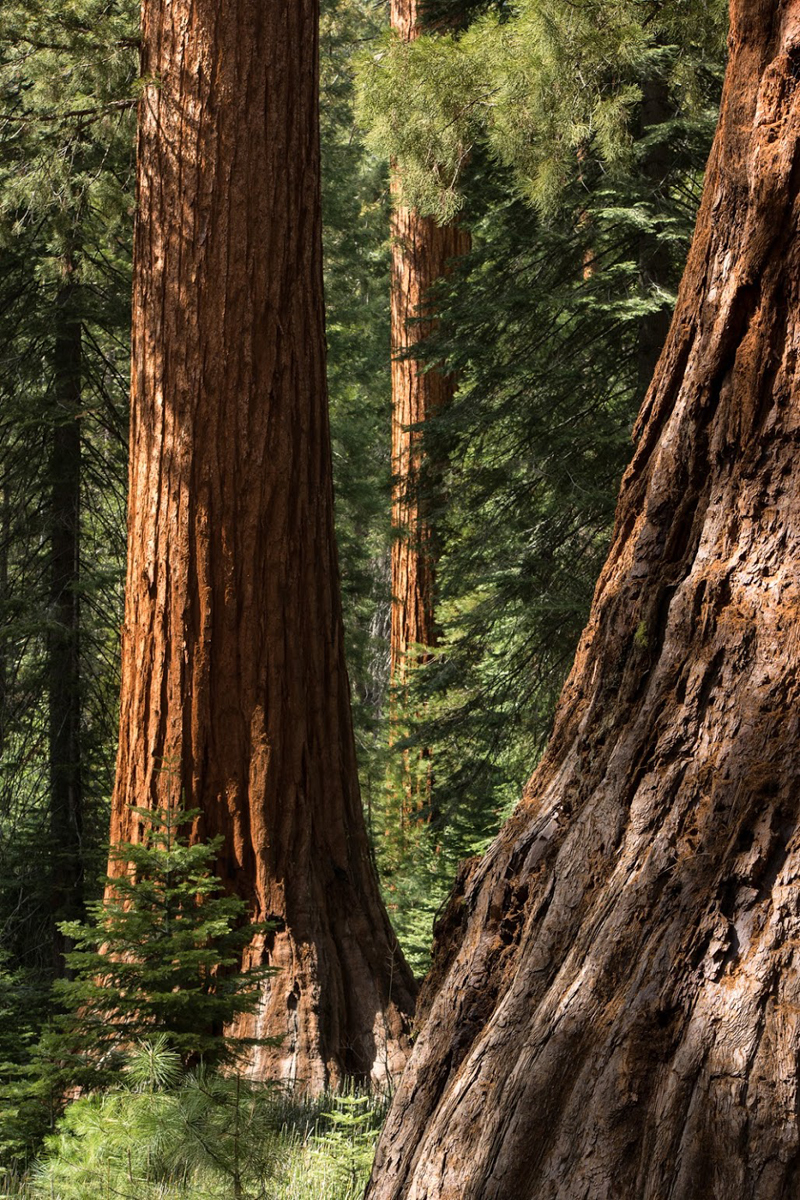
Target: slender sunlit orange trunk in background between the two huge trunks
pixel 422 253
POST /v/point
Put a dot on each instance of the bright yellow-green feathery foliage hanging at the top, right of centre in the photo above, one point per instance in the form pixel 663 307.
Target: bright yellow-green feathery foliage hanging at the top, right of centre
pixel 544 88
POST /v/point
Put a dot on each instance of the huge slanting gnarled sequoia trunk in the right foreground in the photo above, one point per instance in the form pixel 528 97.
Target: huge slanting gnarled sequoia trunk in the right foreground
pixel 616 1005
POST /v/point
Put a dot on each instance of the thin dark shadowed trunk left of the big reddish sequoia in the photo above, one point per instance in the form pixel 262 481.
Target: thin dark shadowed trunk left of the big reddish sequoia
pixel 64 640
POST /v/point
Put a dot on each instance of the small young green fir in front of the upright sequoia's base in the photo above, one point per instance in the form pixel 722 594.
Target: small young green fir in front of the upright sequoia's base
pixel 160 963
